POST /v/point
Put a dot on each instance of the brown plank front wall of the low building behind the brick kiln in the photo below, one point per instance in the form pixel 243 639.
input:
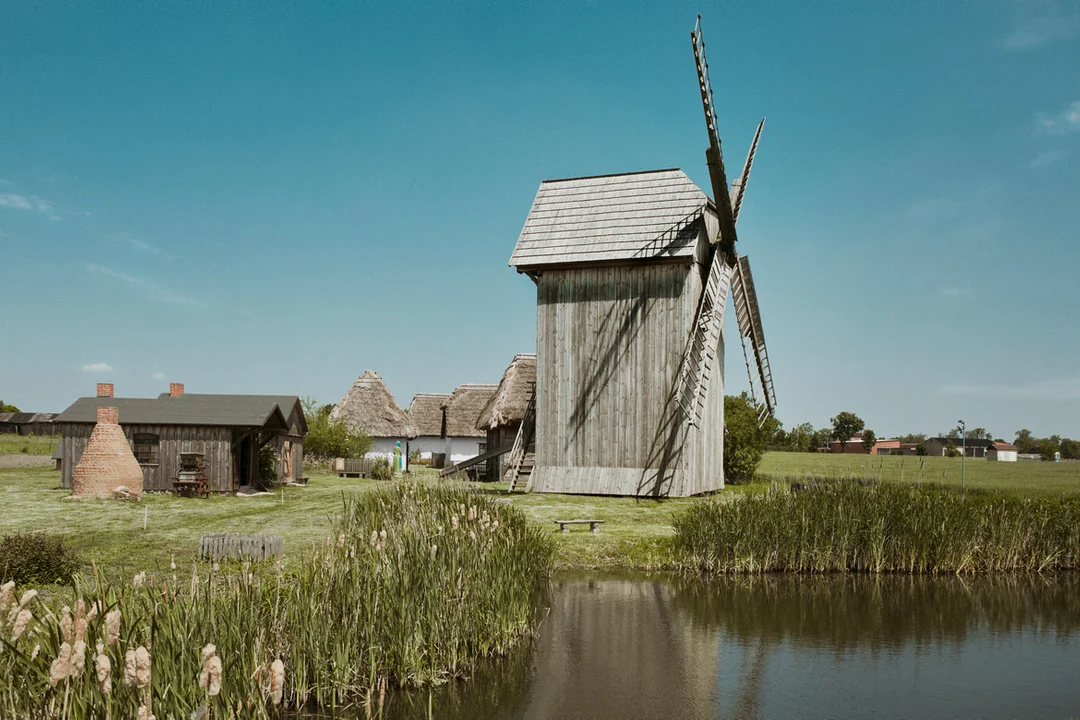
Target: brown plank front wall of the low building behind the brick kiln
pixel 215 443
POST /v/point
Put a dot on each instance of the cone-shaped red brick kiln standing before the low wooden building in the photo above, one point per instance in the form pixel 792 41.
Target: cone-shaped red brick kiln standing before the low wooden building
pixel 109 461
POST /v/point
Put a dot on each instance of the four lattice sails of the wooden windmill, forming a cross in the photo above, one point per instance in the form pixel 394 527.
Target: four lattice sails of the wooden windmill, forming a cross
pixel 727 271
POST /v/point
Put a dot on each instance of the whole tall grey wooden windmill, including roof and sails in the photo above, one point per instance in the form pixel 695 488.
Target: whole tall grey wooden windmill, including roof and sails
pixel 632 276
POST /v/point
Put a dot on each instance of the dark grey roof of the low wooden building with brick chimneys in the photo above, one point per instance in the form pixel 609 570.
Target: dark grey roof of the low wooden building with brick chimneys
pixel 231 411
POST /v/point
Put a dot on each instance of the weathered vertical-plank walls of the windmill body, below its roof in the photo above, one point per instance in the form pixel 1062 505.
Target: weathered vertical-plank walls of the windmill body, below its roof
pixel 610 344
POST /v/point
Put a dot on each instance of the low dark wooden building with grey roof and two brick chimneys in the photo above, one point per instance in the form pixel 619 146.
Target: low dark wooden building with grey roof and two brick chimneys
pixel 228 430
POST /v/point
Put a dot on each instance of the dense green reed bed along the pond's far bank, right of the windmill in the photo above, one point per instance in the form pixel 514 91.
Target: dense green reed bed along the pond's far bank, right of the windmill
pixel 854 526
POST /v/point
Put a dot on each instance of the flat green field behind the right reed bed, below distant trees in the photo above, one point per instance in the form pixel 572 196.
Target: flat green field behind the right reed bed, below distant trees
pixel 1025 478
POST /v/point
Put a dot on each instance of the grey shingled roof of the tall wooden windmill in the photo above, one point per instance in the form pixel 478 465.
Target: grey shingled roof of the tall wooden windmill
pixel 636 216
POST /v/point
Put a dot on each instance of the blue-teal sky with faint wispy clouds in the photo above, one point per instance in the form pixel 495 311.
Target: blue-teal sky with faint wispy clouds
pixel 255 198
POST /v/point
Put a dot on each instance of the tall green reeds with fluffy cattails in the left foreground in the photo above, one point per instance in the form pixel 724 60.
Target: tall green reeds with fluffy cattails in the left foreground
pixel 415 588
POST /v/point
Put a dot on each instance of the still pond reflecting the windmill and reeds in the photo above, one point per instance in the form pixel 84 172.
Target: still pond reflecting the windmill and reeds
pixel 785 647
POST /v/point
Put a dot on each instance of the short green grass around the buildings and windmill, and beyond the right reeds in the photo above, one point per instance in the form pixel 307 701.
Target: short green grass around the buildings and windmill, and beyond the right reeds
pixel 637 534
